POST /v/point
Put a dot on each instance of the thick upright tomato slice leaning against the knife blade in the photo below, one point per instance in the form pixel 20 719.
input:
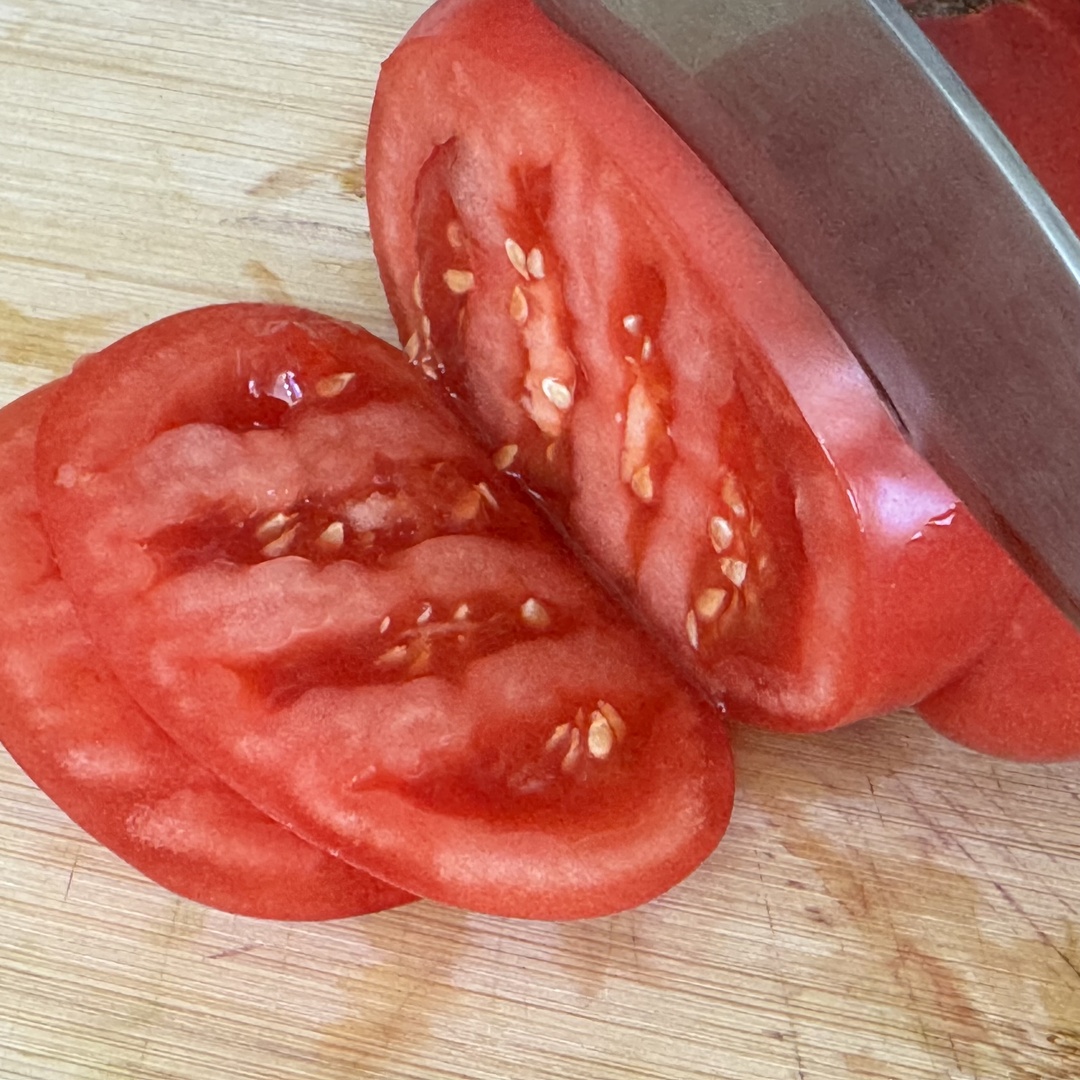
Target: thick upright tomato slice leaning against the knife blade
pixel 627 343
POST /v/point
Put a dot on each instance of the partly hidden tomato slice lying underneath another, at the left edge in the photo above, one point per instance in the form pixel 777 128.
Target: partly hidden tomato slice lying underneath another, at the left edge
pixel 77 734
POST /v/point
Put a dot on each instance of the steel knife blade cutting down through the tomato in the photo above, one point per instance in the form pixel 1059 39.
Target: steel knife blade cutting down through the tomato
pixel 909 217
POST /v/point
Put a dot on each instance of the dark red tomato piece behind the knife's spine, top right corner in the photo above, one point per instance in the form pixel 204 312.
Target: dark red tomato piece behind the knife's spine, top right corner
pixel 1022 61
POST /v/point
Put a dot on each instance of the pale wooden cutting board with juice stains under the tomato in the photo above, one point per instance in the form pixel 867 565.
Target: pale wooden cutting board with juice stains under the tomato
pixel 885 907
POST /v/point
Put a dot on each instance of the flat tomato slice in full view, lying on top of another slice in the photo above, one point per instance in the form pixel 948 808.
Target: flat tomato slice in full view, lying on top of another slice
pixel 304 570
